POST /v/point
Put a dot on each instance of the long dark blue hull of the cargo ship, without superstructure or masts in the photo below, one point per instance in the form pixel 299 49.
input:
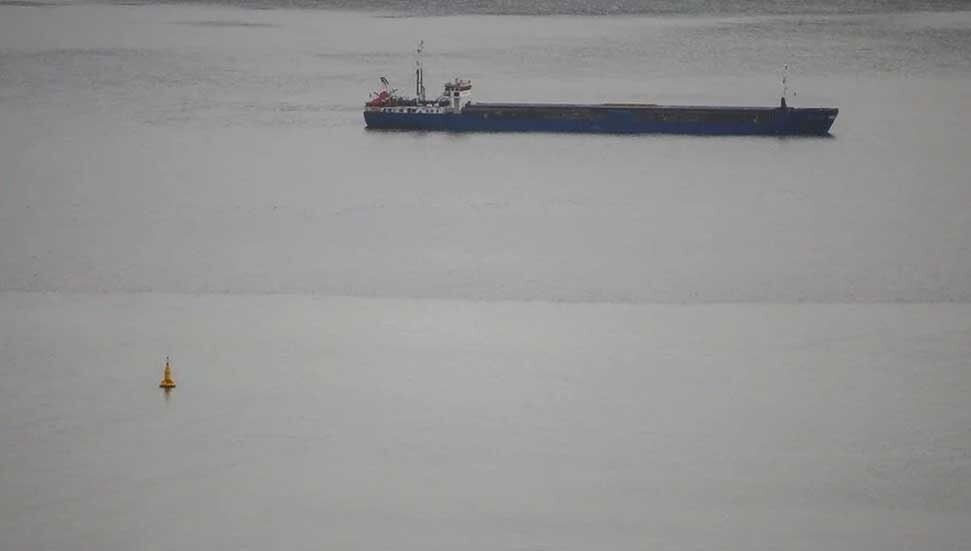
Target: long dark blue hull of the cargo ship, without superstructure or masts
pixel 614 119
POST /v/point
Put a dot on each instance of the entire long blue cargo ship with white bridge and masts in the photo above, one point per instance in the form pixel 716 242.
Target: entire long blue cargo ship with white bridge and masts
pixel 454 111
